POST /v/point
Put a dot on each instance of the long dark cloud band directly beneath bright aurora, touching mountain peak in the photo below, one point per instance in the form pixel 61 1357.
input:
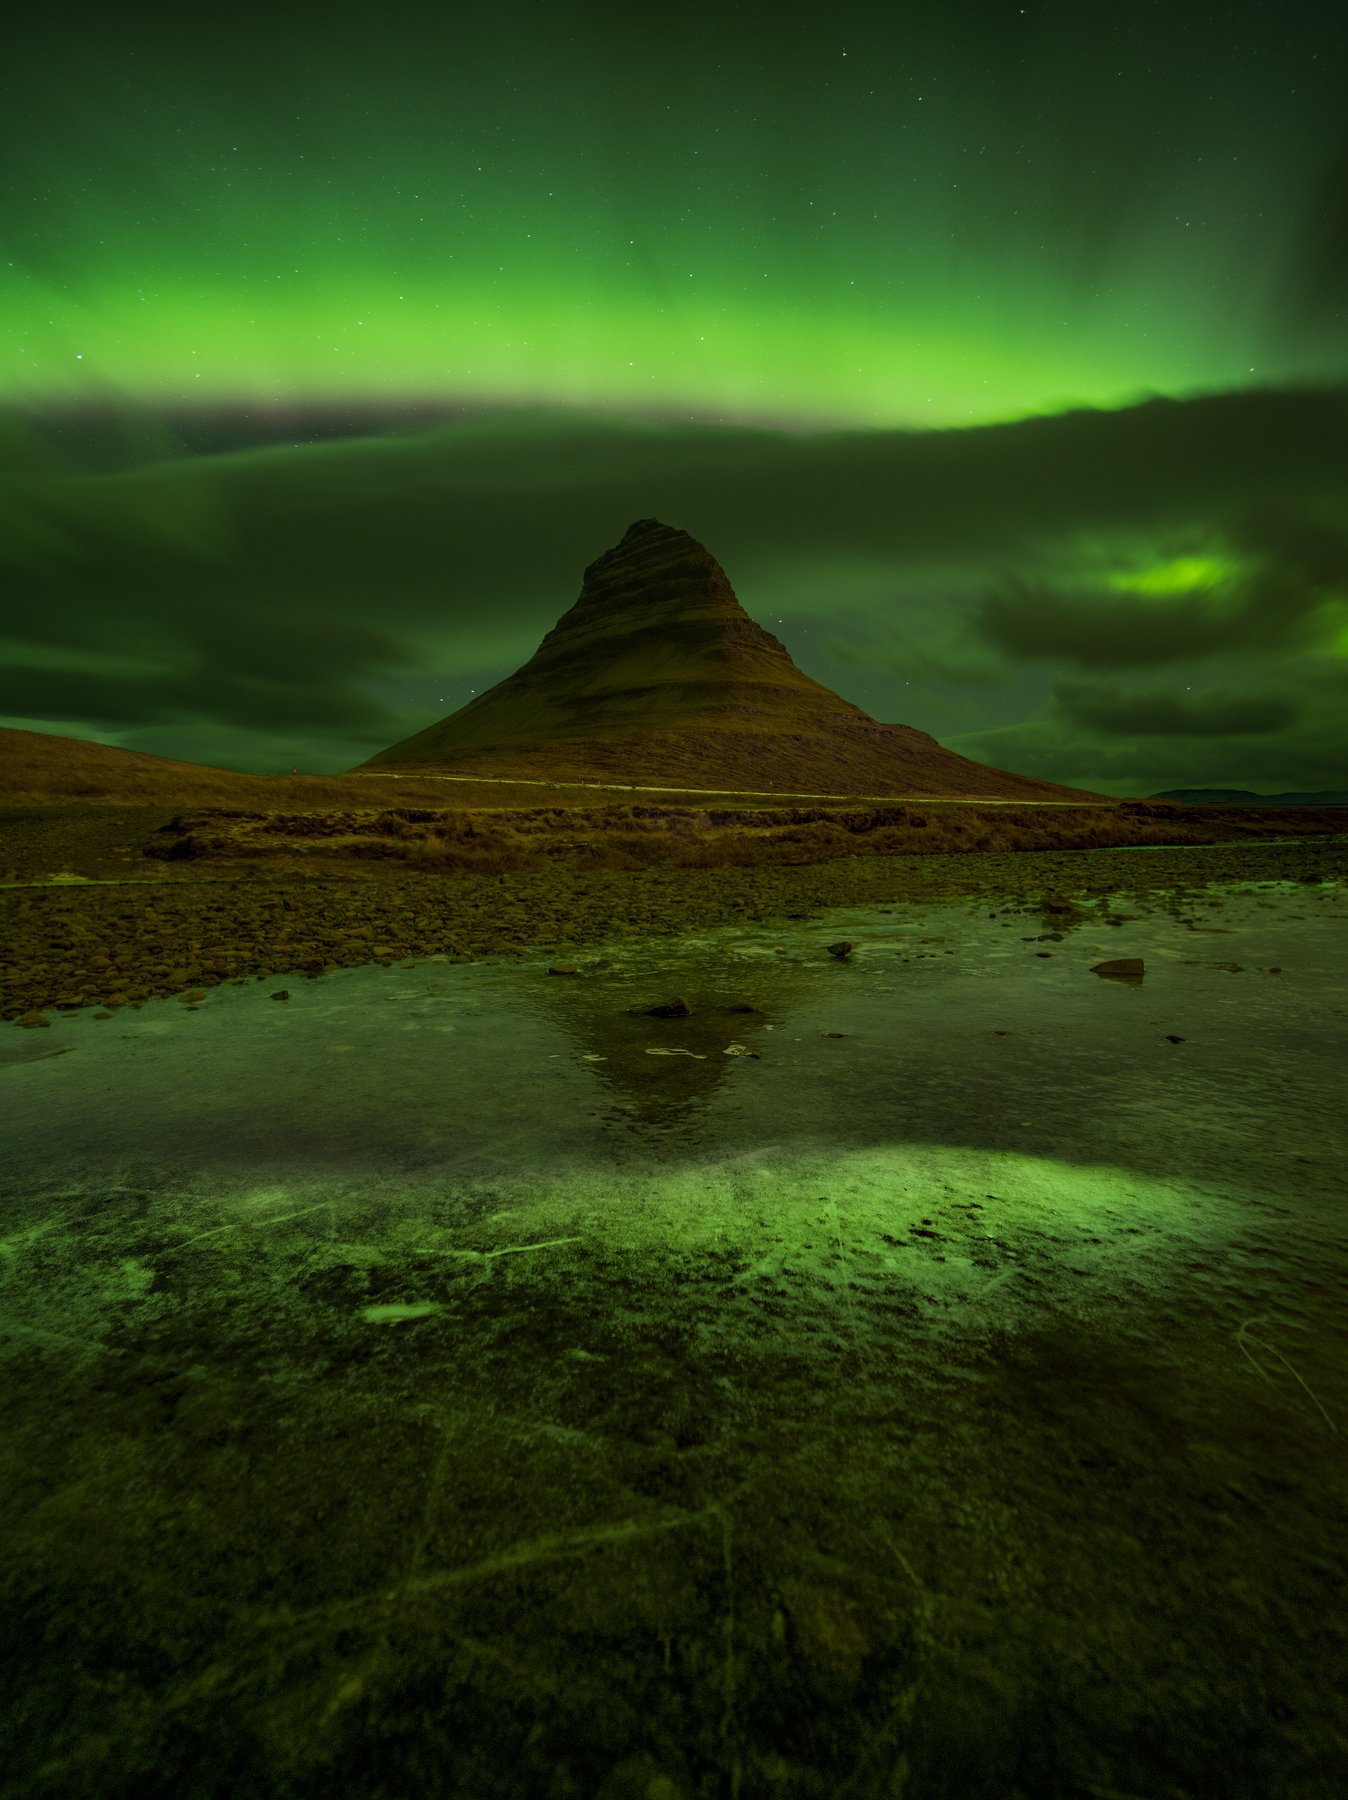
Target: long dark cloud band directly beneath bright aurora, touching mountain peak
pixel 503 498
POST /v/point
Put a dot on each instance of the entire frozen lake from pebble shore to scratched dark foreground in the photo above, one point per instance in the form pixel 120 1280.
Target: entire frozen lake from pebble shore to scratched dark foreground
pixel 834 1380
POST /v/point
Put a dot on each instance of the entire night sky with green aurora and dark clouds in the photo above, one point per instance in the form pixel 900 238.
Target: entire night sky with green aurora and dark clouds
pixel 1000 354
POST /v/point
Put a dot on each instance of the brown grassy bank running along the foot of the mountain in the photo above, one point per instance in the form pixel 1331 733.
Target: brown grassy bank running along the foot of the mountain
pixel 89 809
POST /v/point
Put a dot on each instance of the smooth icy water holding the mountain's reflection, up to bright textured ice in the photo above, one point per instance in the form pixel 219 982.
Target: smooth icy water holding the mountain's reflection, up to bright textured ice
pixel 946 1025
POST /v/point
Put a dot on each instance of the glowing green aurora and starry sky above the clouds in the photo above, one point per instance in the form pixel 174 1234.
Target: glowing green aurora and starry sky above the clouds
pixel 854 220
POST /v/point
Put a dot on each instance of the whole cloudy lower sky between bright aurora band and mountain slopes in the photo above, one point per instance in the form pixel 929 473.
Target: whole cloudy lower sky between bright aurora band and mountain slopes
pixel 348 591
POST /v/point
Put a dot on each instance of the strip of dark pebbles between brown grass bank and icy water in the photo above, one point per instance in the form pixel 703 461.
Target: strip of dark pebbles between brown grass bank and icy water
pixel 143 935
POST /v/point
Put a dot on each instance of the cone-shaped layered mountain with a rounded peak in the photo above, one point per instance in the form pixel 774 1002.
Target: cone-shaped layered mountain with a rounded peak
pixel 658 676
